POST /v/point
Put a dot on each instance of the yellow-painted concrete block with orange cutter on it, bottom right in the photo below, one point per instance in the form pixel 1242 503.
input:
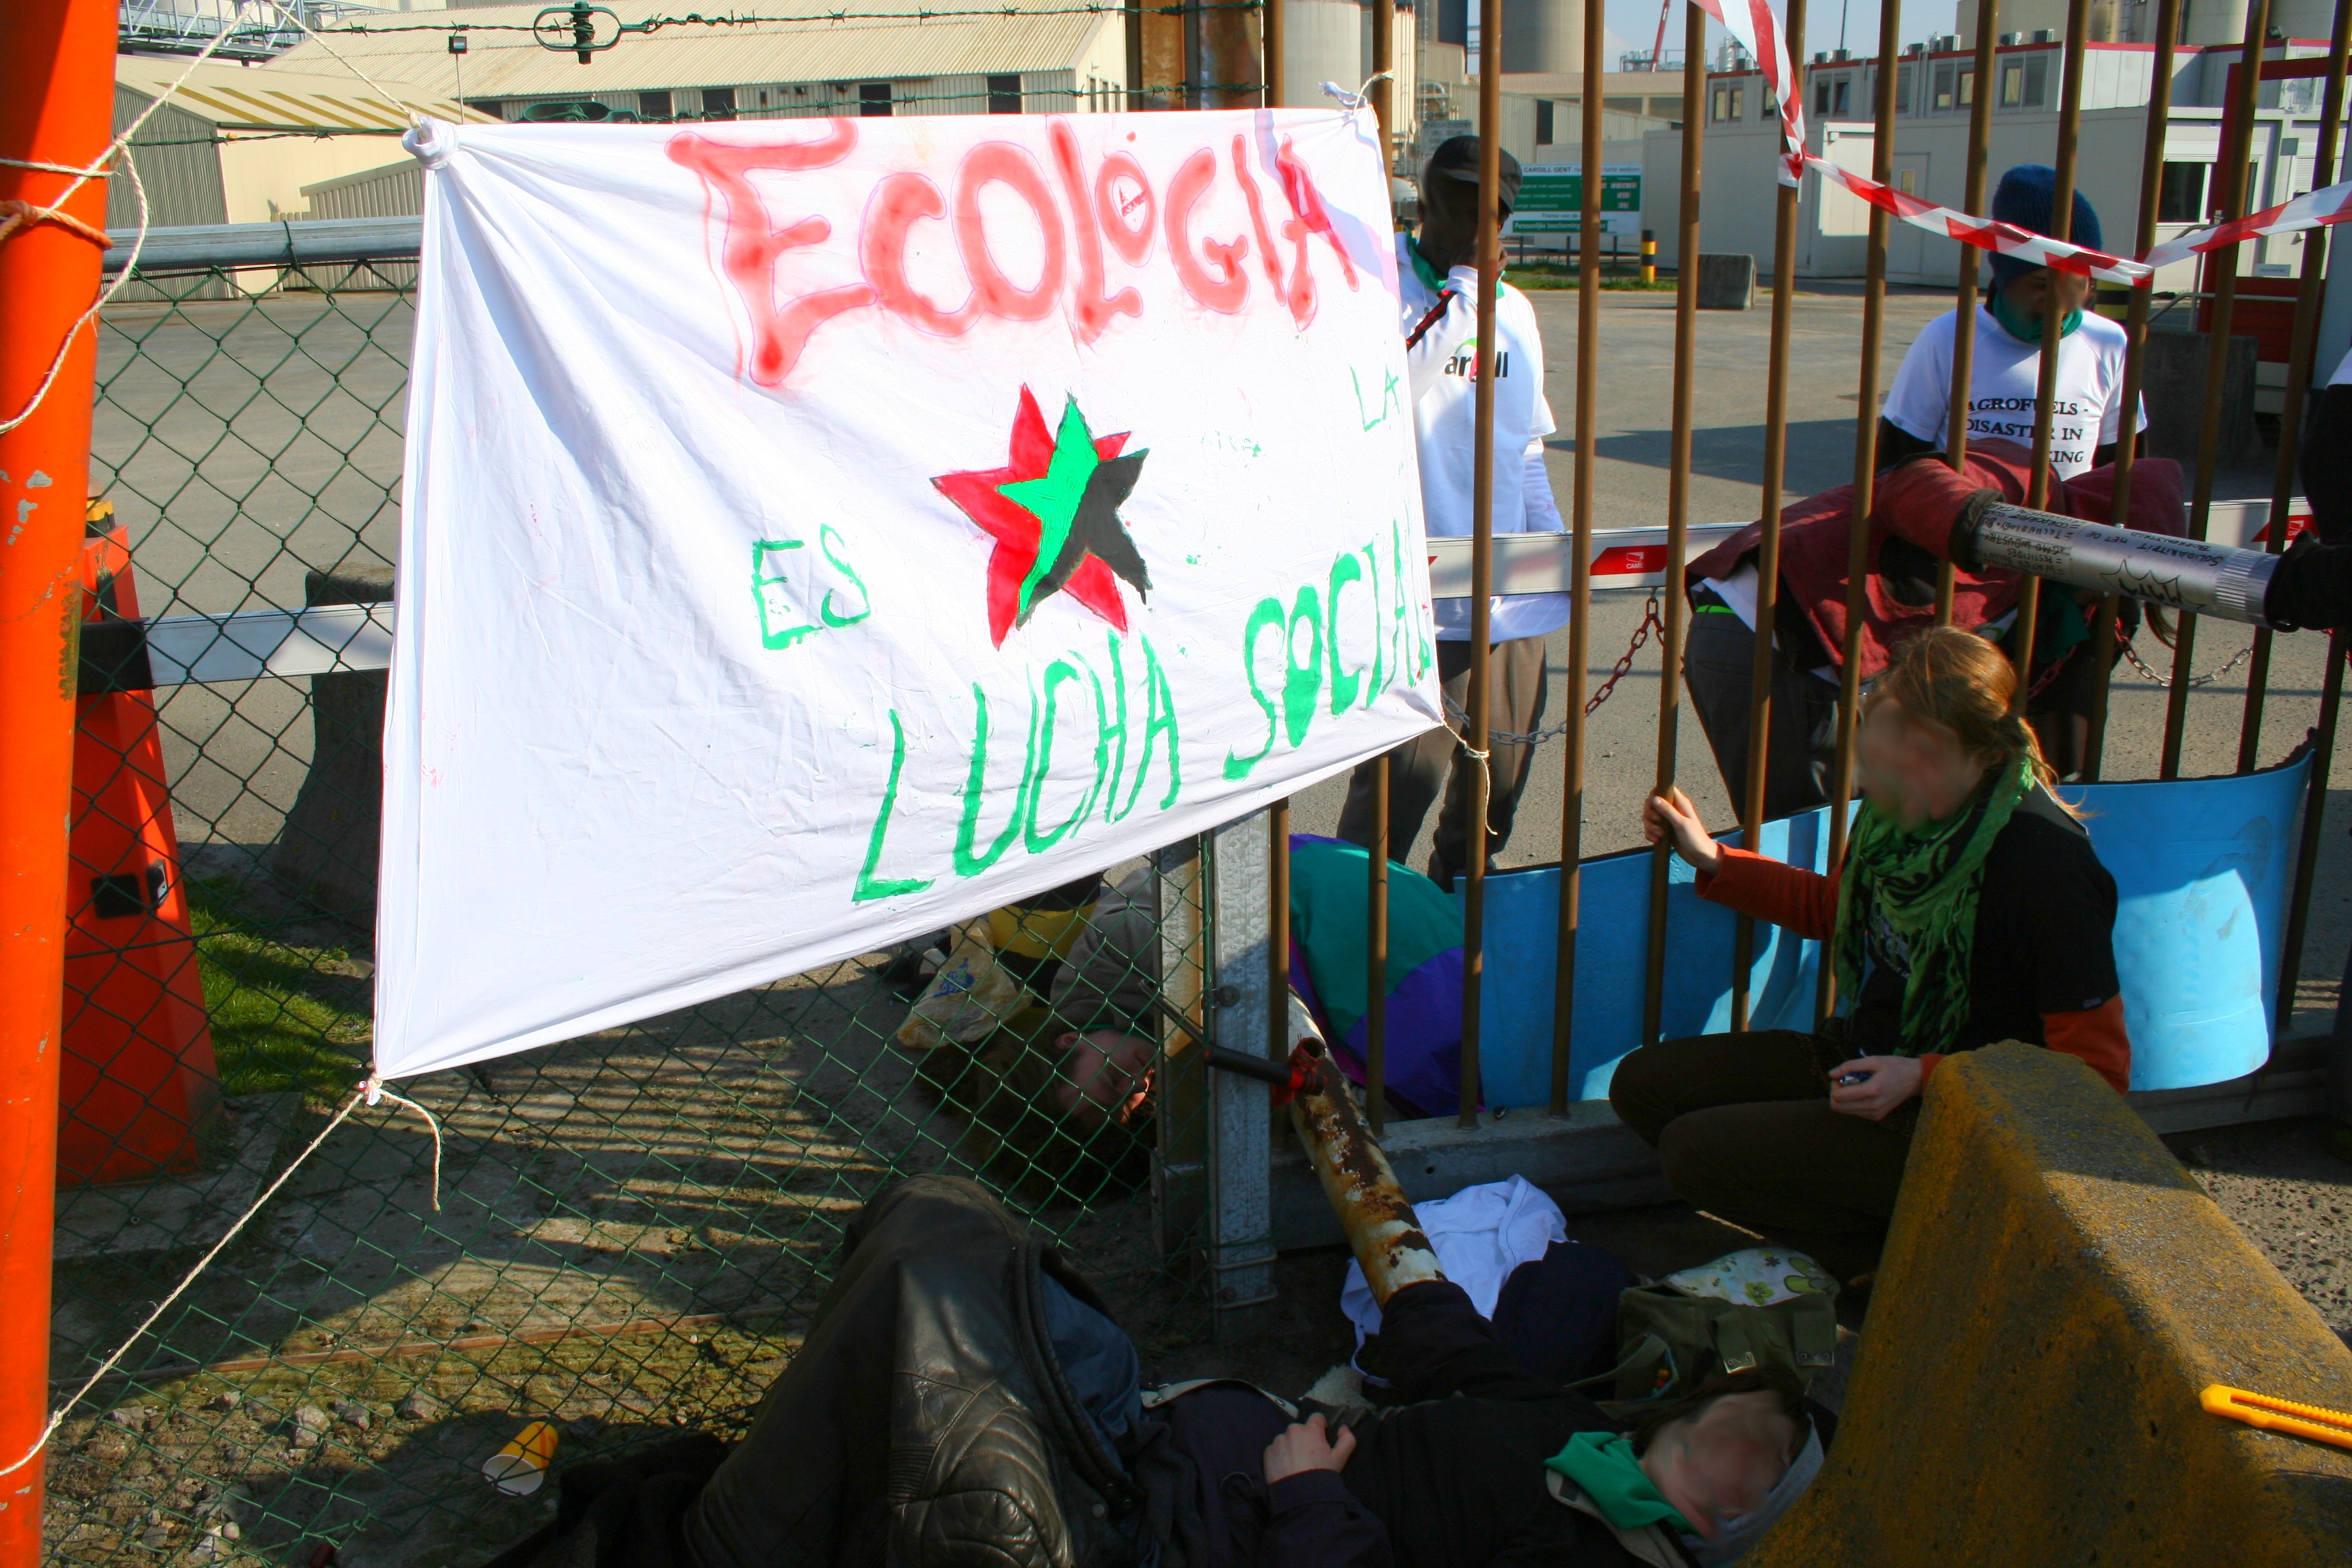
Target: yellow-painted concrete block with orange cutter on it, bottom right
pixel 2054 1296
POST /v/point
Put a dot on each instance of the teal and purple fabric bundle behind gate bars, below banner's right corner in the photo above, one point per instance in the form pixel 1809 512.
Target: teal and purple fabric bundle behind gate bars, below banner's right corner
pixel 1330 970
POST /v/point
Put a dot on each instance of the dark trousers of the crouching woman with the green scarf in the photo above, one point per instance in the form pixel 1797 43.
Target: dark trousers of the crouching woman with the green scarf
pixel 1746 1132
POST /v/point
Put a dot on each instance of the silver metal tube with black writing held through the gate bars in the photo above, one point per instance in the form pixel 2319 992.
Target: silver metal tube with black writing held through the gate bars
pixel 2189 575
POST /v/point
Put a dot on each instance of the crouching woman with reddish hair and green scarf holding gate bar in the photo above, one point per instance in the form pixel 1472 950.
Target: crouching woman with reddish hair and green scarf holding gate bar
pixel 1970 911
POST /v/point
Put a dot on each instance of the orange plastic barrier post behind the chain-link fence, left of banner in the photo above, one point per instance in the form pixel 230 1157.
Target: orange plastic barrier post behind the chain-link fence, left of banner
pixel 138 1078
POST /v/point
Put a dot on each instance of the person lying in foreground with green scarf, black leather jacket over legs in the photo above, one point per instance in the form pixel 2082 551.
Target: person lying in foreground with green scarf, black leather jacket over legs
pixel 1048 1452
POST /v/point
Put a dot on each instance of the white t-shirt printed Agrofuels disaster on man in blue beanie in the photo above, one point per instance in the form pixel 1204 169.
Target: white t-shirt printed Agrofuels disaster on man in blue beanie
pixel 2005 384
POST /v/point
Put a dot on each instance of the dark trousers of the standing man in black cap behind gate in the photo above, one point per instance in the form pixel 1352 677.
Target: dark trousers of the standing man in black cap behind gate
pixel 1434 763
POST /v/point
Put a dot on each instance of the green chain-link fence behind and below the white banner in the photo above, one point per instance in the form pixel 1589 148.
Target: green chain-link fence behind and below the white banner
pixel 634 1228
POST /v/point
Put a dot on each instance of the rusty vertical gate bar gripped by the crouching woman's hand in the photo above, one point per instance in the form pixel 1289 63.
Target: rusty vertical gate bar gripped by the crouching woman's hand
pixel 1678 492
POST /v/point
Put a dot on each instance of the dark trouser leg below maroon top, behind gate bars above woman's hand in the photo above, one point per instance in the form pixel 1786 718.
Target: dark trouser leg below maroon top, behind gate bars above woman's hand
pixel 1718 664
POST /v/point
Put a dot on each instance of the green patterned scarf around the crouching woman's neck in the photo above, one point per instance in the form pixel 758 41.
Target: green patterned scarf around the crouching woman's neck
pixel 1925 885
